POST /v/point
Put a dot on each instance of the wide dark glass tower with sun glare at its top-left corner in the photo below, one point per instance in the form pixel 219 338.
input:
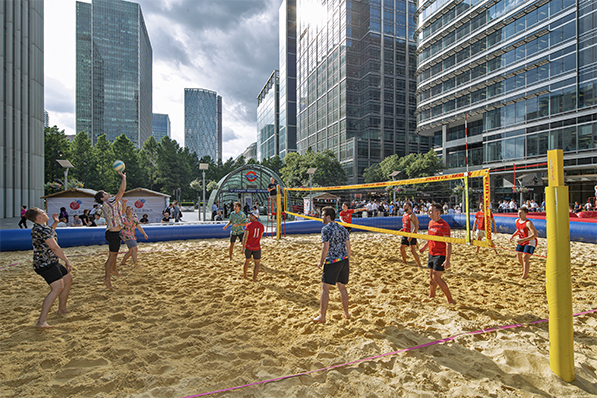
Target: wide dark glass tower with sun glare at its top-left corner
pixel 356 81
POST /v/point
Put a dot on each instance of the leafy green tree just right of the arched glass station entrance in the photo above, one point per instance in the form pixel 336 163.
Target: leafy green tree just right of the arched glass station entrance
pixel 329 171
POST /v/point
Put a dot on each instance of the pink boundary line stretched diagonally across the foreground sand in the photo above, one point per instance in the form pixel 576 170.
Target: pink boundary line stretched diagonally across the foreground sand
pixel 440 341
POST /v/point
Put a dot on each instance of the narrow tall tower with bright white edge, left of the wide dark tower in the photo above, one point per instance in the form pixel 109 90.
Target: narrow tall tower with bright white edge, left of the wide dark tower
pixel 287 78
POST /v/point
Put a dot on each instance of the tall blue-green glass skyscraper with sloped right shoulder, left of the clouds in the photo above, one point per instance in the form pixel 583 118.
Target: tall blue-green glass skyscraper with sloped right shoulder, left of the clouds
pixel 114 71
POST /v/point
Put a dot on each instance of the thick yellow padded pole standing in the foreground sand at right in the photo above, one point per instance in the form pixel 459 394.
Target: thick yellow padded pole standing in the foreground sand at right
pixel 558 275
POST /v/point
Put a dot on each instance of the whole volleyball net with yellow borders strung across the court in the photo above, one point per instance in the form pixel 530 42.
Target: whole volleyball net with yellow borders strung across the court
pixel 378 207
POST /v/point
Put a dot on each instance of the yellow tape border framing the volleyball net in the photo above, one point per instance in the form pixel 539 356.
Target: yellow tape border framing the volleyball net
pixel 457 176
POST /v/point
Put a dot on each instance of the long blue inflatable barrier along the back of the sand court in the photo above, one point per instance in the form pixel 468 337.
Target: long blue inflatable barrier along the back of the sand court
pixel 20 239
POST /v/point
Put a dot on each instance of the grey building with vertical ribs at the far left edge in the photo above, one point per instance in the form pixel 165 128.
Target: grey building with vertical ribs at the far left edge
pixel 22 104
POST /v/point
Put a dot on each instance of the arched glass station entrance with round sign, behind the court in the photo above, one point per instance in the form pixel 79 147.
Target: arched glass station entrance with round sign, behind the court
pixel 246 184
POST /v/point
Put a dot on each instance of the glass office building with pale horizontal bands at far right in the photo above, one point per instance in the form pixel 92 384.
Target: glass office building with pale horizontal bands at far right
pixel 524 74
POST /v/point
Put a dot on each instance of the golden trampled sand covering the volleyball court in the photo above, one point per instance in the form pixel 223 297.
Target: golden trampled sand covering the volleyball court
pixel 190 324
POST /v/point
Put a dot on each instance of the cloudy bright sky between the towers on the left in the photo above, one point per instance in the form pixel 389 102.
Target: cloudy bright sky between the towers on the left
pixel 228 46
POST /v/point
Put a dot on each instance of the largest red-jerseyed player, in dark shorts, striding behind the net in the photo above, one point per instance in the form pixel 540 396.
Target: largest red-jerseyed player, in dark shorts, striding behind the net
pixel 439 252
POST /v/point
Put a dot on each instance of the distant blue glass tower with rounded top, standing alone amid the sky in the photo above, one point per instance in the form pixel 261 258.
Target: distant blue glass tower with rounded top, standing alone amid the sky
pixel 203 122
